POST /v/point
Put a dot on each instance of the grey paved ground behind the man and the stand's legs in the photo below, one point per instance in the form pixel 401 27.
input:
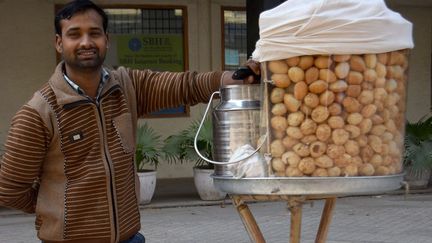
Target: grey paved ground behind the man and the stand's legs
pixel 378 219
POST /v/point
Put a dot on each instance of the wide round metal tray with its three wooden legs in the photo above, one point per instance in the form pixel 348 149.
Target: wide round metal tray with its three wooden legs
pixel 297 191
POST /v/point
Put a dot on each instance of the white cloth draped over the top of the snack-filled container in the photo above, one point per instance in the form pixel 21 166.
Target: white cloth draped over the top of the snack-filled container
pixel 312 27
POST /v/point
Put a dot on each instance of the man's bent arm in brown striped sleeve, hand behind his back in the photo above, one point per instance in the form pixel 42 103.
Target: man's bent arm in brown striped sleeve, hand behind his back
pixel 25 150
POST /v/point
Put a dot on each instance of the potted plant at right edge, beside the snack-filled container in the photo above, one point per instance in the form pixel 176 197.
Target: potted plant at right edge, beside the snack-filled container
pixel 418 152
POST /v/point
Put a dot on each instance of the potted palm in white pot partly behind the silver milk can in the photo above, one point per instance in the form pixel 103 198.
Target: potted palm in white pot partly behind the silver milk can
pixel 180 148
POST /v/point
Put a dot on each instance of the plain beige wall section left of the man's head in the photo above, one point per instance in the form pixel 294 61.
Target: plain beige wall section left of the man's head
pixel 27 56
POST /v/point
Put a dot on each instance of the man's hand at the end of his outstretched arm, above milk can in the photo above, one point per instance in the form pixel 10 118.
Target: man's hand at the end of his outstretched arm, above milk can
pixel 248 74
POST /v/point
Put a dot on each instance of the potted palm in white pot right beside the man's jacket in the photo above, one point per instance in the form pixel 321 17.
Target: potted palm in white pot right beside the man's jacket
pixel 147 155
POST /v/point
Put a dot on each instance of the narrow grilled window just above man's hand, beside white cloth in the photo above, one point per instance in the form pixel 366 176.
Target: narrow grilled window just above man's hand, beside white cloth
pixel 235 38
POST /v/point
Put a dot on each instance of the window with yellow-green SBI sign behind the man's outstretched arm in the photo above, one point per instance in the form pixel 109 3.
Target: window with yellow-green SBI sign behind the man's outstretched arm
pixel 149 38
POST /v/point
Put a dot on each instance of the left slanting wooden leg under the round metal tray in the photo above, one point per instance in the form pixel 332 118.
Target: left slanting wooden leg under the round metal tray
pixel 248 220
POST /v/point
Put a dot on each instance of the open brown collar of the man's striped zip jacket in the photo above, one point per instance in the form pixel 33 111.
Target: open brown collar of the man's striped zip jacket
pixel 65 94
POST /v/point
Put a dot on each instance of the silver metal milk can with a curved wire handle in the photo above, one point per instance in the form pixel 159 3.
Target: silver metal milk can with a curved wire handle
pixel 235 123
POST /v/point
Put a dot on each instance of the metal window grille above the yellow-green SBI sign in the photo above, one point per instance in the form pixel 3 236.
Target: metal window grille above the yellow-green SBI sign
pixel 145 21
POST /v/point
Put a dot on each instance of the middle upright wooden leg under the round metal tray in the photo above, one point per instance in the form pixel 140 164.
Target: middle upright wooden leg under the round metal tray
pixel 295 206
